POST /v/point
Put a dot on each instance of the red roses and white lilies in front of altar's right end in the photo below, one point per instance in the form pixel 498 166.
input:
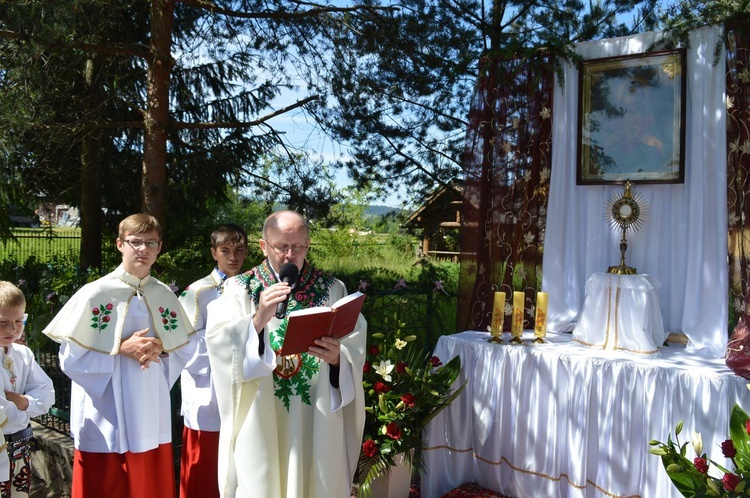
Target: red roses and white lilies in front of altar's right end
pixel 692 478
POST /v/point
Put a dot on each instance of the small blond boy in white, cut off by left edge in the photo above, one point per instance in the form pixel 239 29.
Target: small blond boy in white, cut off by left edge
pixel 27 391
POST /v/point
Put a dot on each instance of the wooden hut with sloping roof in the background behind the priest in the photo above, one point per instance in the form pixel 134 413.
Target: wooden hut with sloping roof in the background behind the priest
pixel 438 221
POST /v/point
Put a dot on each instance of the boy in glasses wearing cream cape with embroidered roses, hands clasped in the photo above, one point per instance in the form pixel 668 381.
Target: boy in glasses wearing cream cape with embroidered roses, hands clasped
pixel 124 341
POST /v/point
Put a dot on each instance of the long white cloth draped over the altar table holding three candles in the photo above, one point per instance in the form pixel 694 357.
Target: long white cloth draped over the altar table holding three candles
pixel 564 420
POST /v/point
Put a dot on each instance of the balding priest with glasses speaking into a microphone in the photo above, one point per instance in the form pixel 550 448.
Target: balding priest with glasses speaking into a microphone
pixel 291 426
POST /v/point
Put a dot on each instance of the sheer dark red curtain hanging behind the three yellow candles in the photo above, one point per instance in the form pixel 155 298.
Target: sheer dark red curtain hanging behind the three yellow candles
pixel 507 171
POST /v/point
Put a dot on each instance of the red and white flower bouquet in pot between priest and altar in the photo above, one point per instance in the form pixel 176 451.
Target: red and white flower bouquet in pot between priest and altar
pixel 405 387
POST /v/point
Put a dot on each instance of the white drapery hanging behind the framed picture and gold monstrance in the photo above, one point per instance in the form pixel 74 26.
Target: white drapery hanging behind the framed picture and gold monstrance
pixel 683 242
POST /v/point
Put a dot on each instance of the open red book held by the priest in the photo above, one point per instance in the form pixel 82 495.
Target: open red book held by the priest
pixel 337 320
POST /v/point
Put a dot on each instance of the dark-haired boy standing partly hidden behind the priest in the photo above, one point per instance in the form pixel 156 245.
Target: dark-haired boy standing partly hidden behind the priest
pixel 200 435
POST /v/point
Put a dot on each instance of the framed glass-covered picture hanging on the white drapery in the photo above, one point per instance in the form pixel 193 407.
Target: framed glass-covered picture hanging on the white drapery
pixel 631 119
